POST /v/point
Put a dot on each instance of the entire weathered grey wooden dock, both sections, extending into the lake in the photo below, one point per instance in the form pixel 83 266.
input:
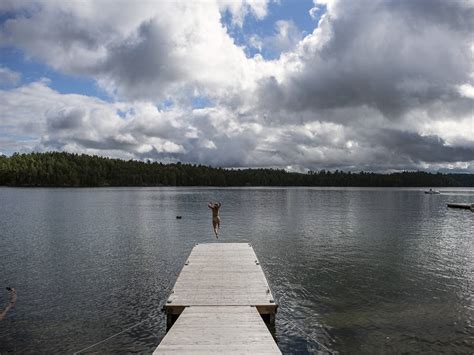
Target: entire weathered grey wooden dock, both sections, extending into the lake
pixel 219 303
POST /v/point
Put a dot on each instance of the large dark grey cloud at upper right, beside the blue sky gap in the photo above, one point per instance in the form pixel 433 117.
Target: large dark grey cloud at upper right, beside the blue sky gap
pixel 391 55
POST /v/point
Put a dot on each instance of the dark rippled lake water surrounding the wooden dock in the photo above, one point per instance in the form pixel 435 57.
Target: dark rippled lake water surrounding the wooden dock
pixel 356 270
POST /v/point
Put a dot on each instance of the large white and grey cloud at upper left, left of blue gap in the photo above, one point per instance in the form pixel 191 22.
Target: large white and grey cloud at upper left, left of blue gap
pixel 148 52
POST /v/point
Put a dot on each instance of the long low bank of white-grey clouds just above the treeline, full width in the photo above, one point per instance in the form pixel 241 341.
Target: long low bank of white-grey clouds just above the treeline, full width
pixel 213 136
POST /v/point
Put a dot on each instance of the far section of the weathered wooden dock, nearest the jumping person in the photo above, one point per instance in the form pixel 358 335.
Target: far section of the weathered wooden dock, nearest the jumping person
pixel 221 274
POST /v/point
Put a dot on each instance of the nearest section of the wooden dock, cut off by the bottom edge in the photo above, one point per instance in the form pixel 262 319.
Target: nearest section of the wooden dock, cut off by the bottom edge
pixel 218 329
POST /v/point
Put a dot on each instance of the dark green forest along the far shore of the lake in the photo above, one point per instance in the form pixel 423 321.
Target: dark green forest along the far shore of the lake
pixel 59 169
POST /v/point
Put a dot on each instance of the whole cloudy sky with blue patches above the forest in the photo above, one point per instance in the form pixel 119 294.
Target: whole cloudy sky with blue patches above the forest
pixel 374 85
